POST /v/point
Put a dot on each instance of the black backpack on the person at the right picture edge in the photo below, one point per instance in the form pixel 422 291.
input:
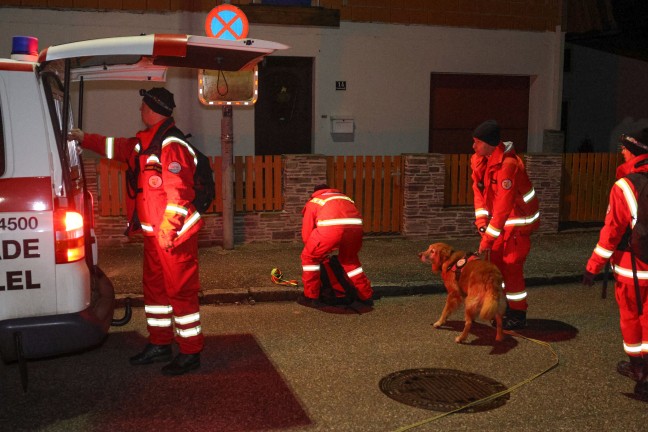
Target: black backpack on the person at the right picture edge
pixel 636 239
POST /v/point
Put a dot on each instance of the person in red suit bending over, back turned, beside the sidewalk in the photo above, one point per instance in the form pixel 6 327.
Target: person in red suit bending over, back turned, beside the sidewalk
pixel 331 222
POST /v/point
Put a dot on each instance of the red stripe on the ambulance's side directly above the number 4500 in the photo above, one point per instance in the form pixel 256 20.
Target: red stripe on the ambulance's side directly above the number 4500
pixel 23 194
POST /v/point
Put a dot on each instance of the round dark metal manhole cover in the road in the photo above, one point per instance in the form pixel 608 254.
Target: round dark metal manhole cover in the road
pixel 442 389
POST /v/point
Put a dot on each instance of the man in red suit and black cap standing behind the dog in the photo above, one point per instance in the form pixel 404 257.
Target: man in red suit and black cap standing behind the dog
pixel 506 213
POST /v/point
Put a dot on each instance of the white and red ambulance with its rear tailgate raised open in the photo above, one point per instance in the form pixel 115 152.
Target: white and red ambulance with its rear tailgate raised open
pixel 54 299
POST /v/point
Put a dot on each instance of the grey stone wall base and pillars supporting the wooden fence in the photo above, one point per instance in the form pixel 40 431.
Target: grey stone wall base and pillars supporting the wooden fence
pixel 424 215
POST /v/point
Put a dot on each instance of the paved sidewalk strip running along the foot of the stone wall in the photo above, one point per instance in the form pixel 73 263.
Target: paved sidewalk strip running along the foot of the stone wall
pixel 243 274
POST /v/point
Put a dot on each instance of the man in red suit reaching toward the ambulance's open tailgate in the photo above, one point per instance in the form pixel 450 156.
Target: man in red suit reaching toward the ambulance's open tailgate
pixel 164 214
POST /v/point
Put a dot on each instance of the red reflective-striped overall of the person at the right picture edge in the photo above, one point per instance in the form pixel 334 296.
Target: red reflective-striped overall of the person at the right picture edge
pixel 623 198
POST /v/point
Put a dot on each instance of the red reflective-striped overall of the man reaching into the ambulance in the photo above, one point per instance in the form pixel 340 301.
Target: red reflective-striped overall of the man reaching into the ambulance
pixel 163 202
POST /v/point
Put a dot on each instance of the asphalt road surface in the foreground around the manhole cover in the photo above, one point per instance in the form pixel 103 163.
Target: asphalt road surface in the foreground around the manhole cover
pixel 278 366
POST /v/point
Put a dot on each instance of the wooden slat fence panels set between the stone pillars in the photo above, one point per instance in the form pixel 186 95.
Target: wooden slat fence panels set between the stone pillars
pixel 374 182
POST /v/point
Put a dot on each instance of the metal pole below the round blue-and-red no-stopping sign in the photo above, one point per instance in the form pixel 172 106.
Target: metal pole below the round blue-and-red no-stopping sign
pixel 227 152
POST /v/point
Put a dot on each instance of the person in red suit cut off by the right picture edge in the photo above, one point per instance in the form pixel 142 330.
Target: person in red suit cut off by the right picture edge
pixel 612 245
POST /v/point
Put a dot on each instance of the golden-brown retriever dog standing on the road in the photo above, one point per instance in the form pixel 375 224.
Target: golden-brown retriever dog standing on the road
pixel 479 282
